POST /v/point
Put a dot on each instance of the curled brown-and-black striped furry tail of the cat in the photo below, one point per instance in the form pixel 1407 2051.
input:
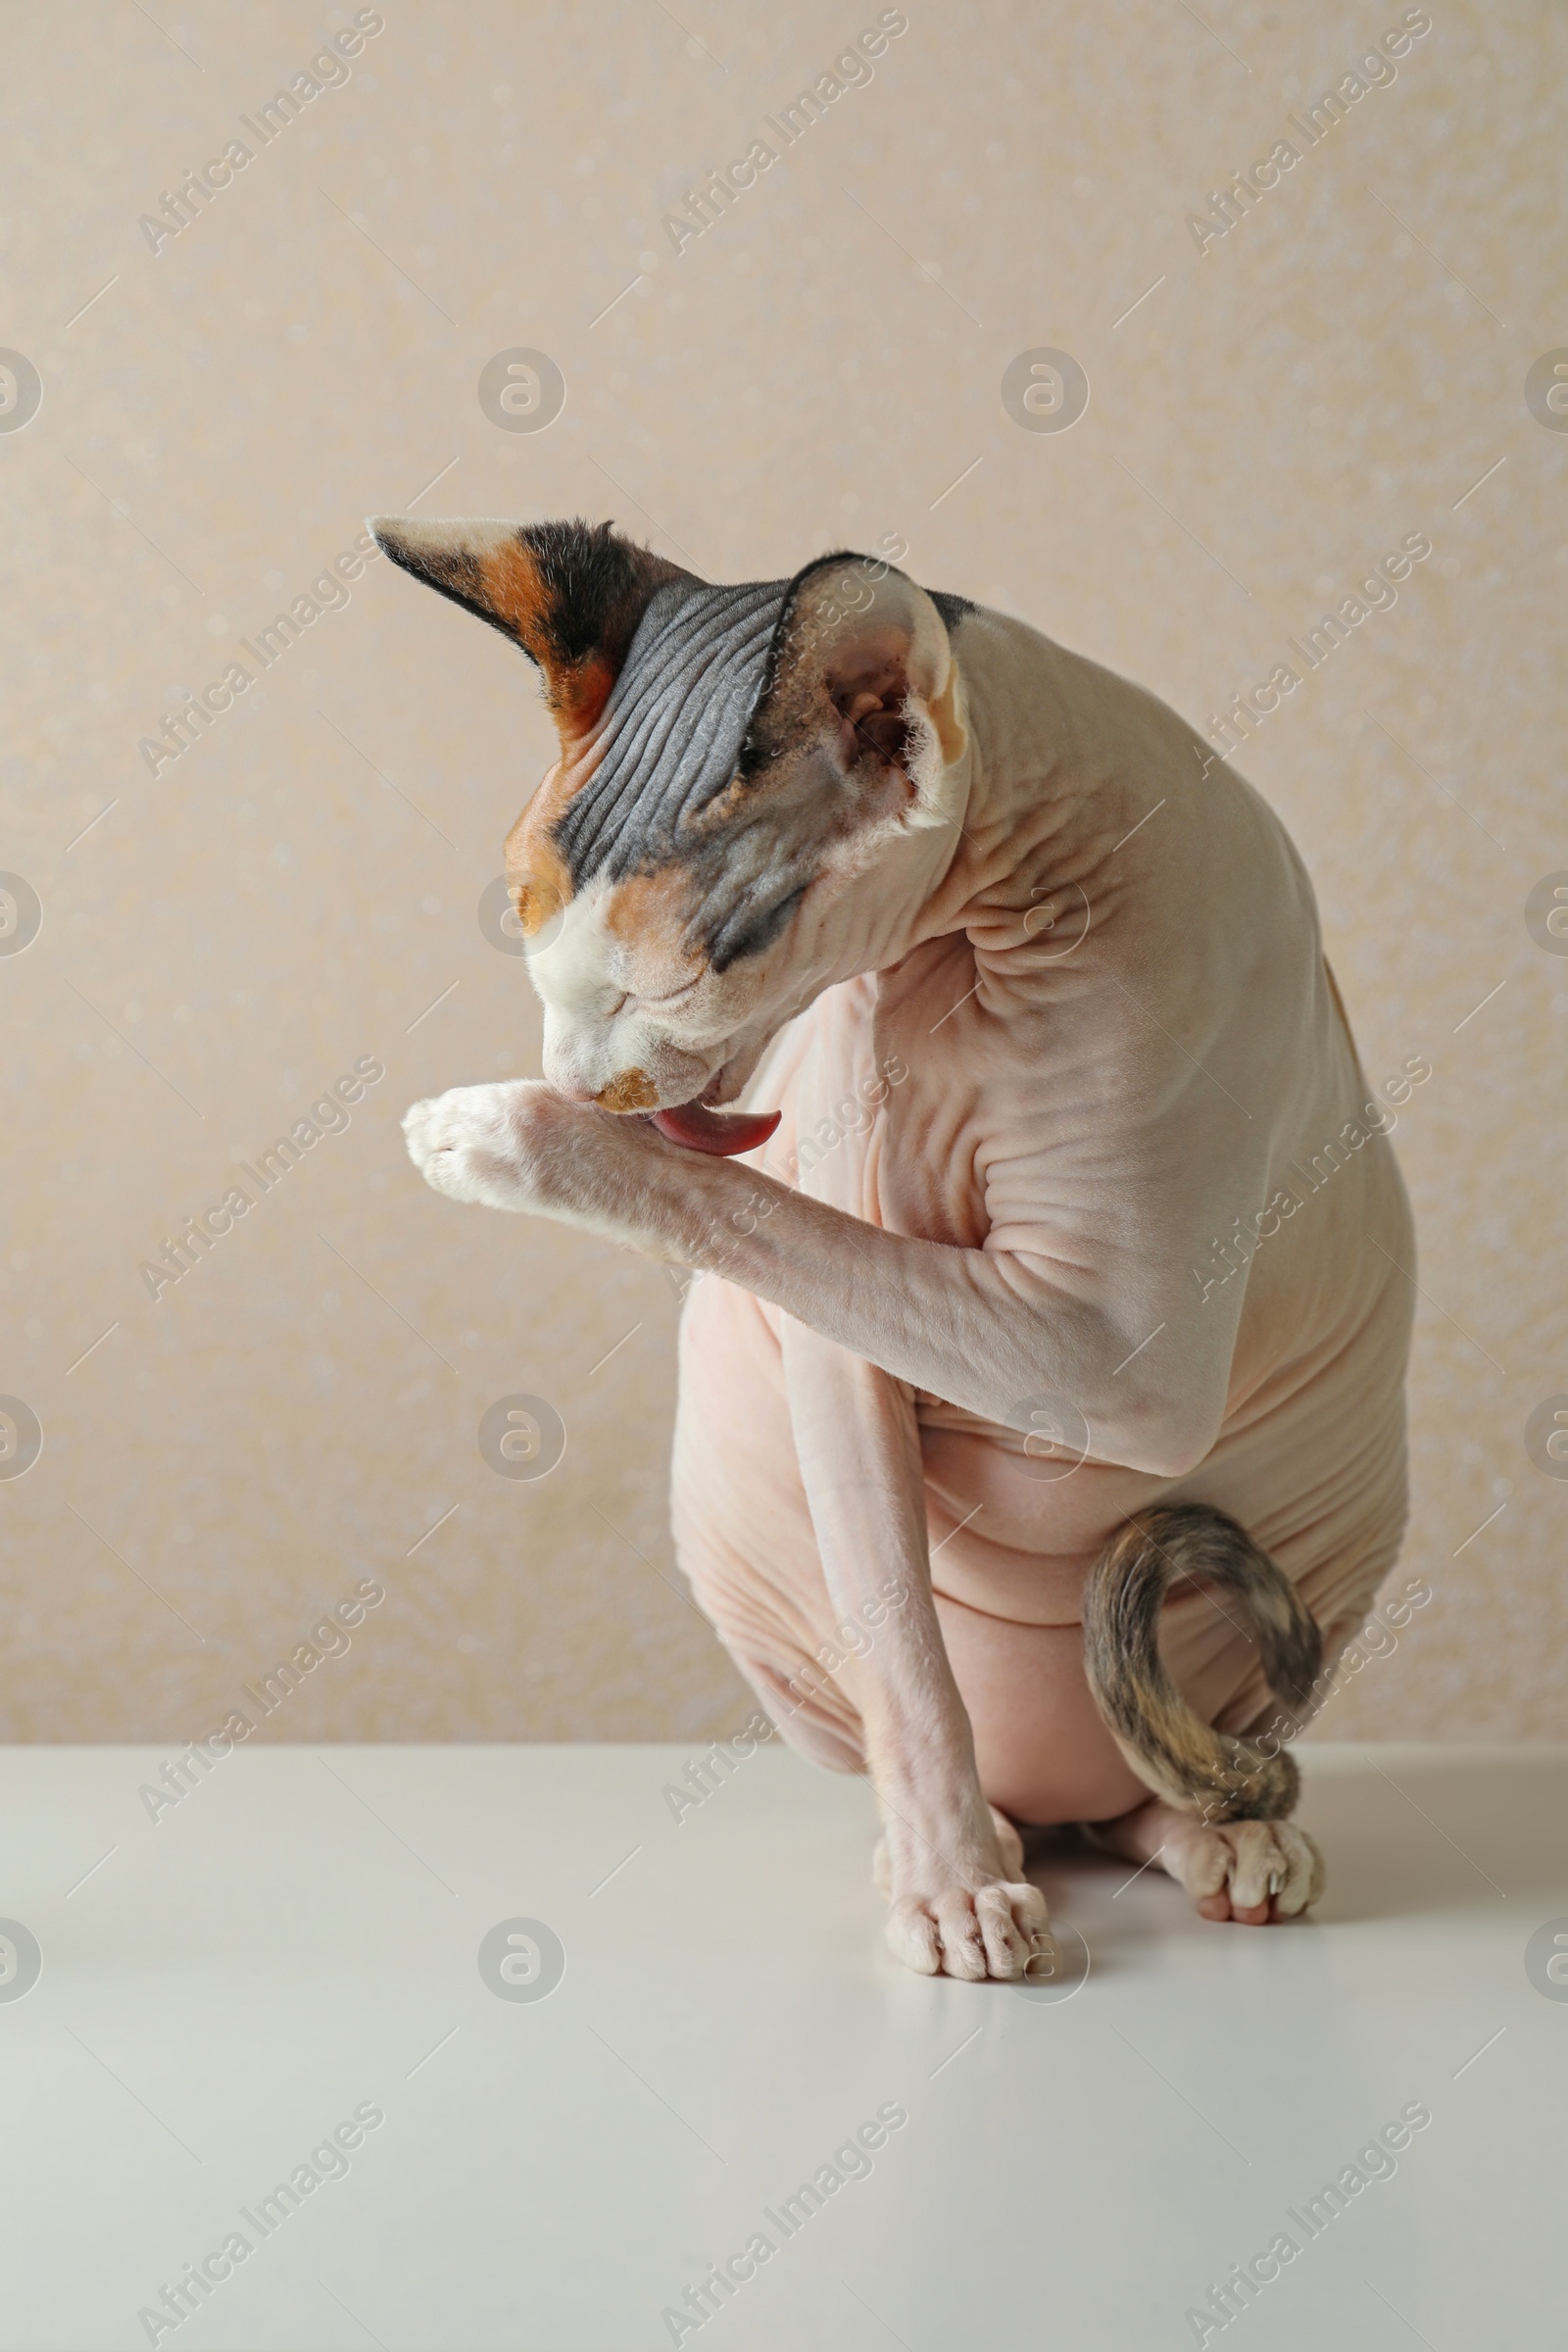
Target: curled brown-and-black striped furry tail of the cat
pixel 1167 1744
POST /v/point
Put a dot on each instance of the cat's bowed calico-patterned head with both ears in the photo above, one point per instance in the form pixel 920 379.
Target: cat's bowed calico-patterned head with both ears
pixel 753 796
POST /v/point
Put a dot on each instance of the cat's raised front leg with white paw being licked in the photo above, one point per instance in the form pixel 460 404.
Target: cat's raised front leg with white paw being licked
pixel 979 1328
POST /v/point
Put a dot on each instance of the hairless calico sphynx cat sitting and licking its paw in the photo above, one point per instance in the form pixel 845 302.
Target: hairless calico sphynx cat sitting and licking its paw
pixel 1047 1365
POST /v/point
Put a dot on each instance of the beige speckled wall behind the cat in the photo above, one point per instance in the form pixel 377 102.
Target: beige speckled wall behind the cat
pixel 300 890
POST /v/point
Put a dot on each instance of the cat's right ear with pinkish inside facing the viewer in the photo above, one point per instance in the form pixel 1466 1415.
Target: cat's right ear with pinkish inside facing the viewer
pixel 866 667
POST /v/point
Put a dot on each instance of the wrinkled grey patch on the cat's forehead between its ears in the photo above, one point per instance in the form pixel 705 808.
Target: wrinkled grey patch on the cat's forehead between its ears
pixel 674 726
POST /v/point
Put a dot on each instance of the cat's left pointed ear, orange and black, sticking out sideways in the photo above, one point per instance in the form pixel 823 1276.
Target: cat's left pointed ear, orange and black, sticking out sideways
pixel 570 594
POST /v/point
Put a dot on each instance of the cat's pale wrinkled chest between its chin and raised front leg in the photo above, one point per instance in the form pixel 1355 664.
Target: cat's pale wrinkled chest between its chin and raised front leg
pixel 887 1100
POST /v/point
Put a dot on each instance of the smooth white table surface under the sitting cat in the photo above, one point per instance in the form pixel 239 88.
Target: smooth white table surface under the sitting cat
pixel 300 1937
